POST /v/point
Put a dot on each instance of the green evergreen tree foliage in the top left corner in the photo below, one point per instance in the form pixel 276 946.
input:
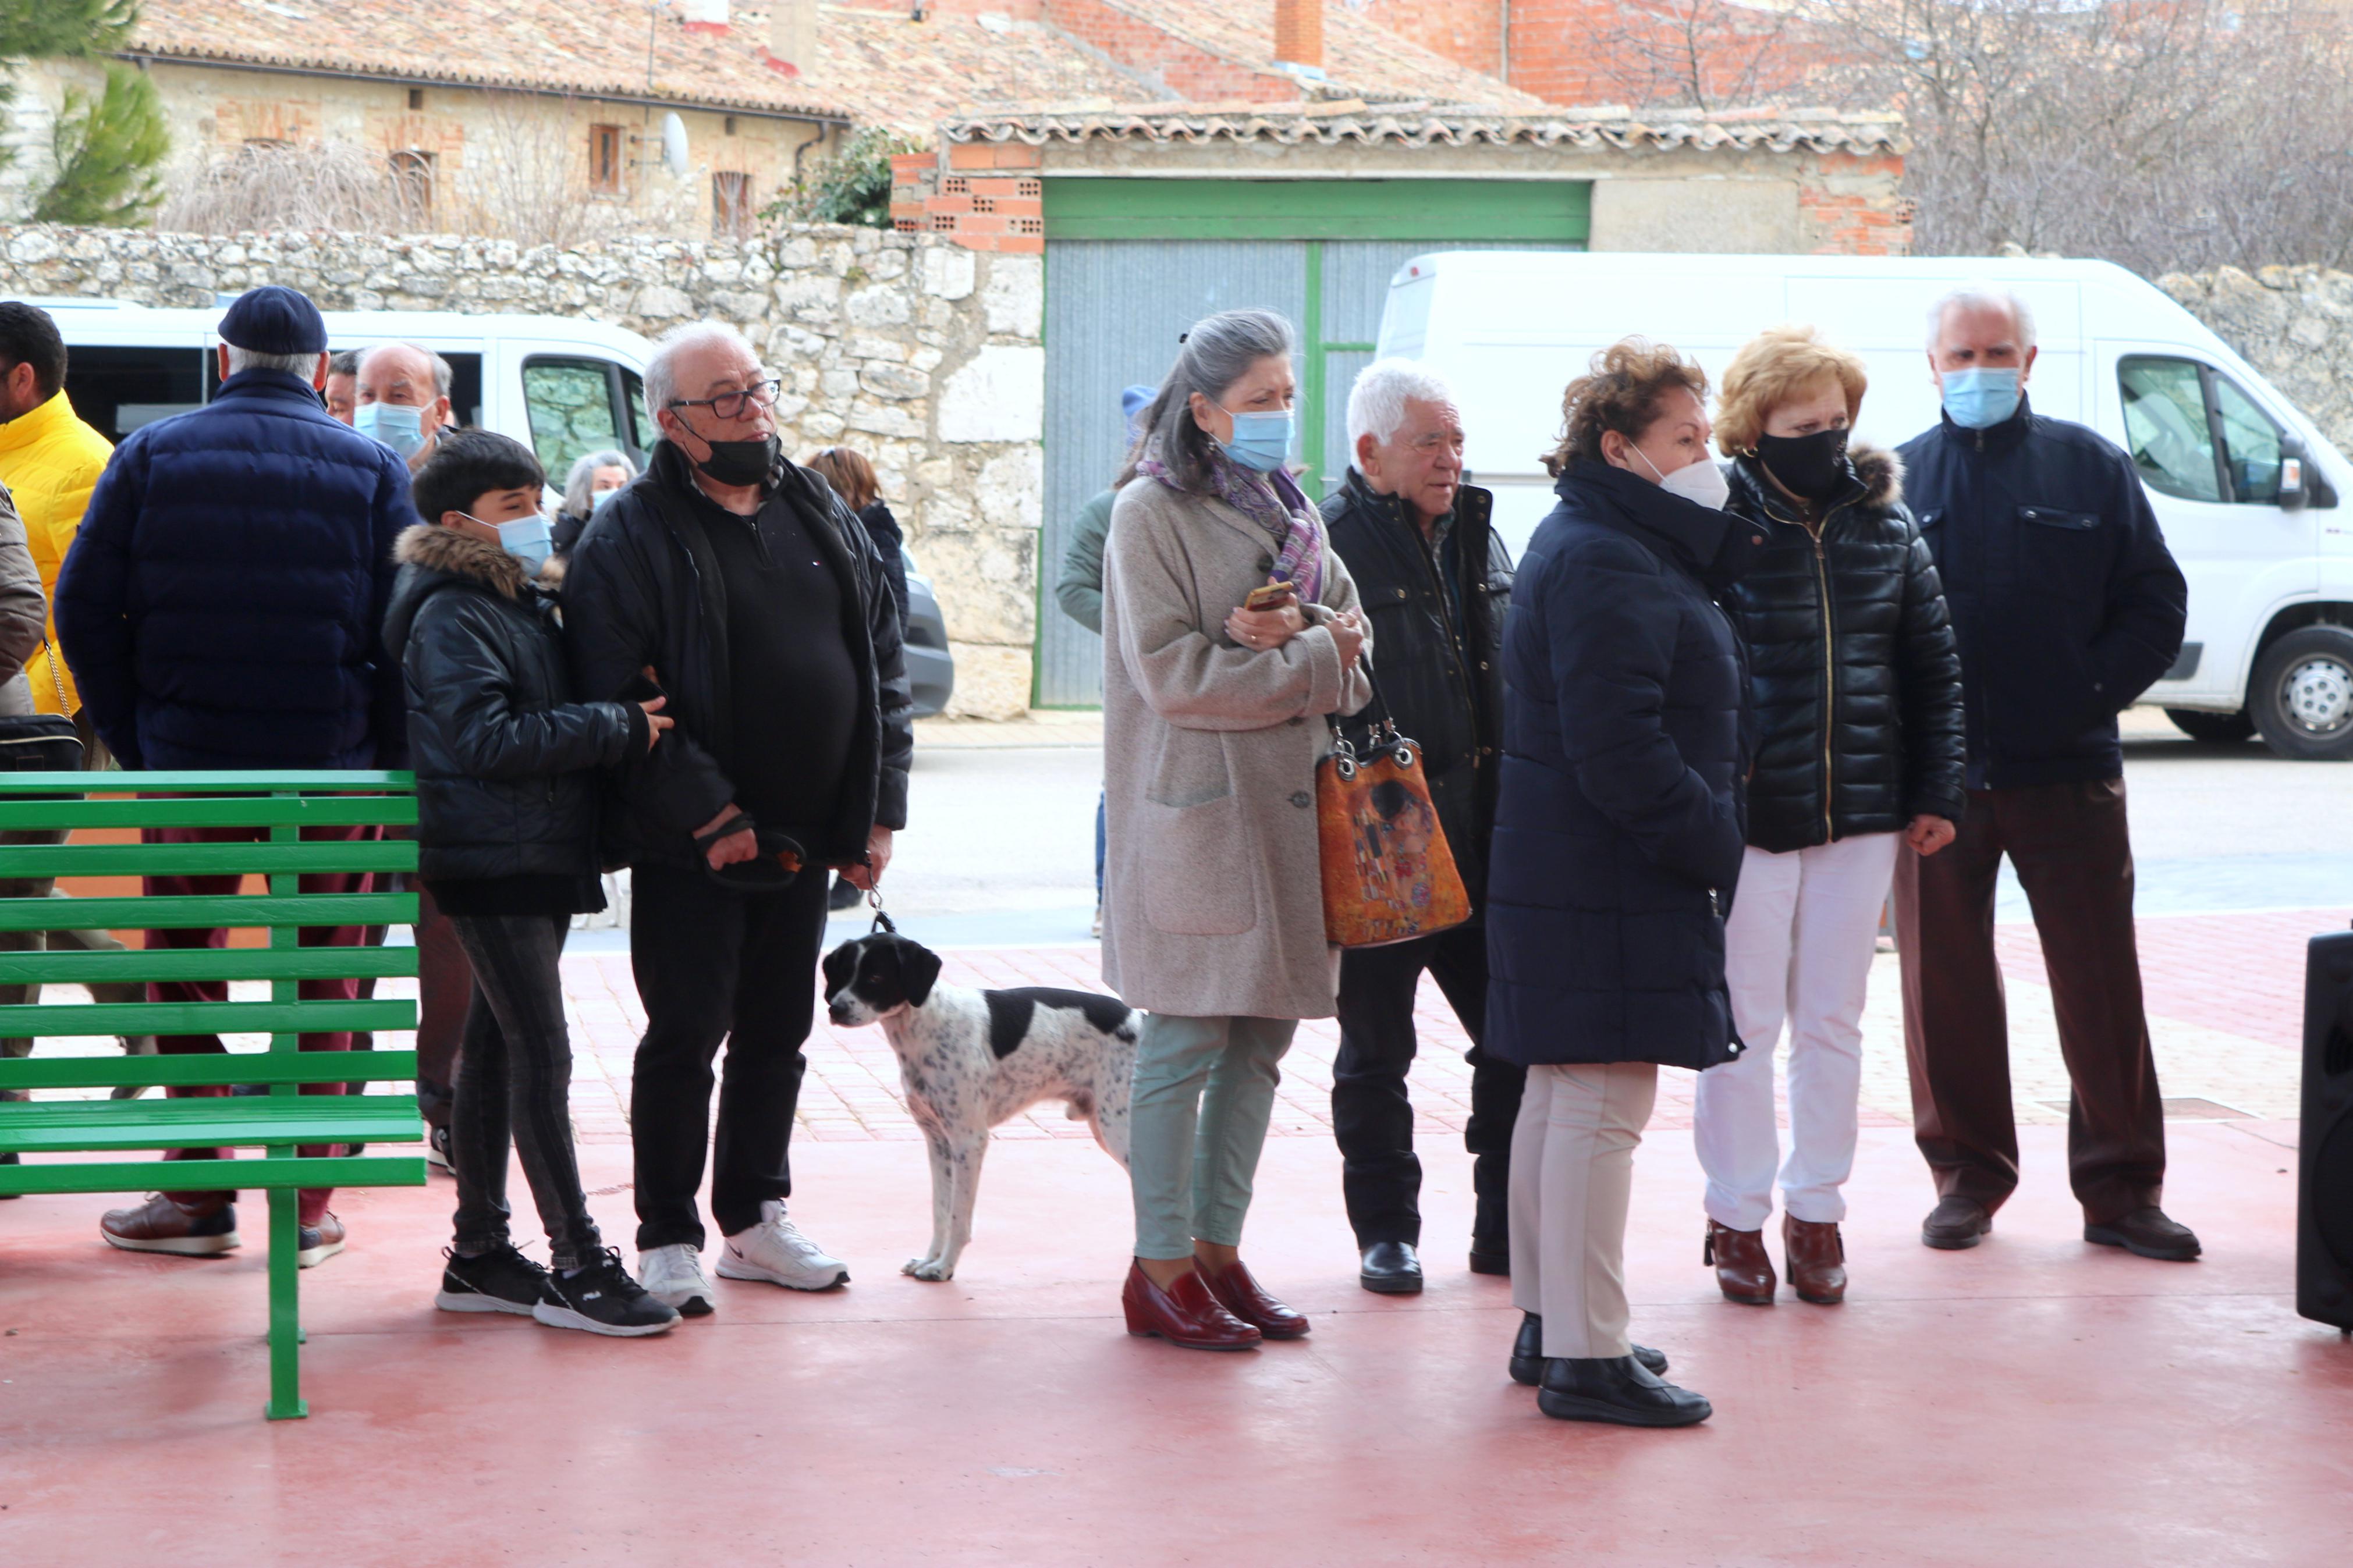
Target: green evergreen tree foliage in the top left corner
pixel 107 145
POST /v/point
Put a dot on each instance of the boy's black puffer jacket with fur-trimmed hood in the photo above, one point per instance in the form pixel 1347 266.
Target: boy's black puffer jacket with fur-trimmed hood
pixel 505 758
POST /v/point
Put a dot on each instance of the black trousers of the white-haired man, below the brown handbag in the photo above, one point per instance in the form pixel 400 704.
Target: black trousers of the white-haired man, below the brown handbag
pixel 1371 1113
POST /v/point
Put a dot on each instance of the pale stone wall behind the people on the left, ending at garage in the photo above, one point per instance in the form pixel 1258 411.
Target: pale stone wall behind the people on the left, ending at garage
pixel 912 349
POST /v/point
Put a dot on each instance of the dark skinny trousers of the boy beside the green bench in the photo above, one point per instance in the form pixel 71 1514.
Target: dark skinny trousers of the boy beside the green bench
pixel 514 1085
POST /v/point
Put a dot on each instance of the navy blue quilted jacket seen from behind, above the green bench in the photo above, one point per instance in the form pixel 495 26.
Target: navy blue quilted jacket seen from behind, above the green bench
pixel 222 601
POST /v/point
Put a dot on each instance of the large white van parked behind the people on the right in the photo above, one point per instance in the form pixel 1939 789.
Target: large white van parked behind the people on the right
pixel 2244 483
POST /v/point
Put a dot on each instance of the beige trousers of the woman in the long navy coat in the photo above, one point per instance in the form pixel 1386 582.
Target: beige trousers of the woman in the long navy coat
pixel 1571 1184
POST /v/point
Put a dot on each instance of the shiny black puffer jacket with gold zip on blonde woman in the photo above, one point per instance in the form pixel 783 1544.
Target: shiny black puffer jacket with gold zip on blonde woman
pixel 1851 664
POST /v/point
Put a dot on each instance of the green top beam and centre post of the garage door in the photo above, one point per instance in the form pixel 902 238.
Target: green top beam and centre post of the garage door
pixel 1317 210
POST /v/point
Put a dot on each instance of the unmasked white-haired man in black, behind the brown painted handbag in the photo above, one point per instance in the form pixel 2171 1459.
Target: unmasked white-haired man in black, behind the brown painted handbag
pixel 1434 582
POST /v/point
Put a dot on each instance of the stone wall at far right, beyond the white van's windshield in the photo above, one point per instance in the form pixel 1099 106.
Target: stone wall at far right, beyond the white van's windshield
pixel 2293 323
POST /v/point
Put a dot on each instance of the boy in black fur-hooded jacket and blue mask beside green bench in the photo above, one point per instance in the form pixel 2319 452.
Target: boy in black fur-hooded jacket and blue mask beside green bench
pixel 507 845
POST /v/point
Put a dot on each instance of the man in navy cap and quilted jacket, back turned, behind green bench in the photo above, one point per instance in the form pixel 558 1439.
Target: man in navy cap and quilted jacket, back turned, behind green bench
pixel 220 610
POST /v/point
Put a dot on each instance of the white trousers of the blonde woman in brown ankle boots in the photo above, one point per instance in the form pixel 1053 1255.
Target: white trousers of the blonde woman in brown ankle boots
pixel 1797 951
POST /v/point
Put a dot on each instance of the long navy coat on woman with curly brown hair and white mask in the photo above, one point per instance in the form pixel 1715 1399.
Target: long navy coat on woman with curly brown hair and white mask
pixel 1618 838
